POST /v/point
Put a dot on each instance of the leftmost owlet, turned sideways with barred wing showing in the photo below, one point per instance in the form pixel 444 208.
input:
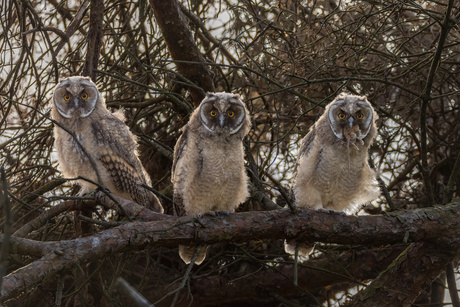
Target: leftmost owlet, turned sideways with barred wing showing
pixel 95 144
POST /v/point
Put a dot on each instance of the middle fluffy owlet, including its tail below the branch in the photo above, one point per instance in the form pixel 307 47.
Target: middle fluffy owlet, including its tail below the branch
pixel 208 169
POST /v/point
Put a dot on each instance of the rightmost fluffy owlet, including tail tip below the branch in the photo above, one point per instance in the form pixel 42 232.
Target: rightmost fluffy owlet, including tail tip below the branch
pixel 332 168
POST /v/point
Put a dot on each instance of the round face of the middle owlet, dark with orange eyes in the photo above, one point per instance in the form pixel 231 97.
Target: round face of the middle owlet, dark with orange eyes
pixel 222 113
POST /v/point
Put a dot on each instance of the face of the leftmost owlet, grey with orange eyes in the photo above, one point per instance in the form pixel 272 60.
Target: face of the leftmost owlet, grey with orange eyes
pixel 75 97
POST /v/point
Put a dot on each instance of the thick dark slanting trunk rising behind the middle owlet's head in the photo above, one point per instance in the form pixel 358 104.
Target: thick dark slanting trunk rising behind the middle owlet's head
pixel 182 48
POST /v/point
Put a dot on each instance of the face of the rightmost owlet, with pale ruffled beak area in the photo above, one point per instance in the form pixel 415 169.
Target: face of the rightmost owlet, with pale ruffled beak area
pixel 350 116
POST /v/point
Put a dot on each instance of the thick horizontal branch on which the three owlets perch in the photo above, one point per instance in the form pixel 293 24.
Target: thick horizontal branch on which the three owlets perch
pixel 439 225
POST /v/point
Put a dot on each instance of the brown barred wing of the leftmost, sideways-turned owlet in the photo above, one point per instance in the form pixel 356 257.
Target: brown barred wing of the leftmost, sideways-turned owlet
pixel 117 148
